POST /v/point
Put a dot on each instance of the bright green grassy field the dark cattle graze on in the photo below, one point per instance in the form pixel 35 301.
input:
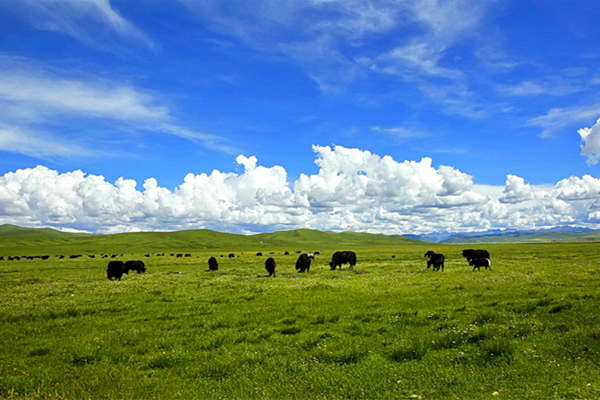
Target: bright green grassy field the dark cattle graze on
pixel 529 328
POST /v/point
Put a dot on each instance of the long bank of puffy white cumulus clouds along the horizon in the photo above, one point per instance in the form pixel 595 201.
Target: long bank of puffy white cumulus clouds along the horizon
pixel 353 189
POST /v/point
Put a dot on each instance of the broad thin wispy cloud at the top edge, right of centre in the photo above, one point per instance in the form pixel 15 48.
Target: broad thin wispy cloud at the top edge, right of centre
pixel 329 39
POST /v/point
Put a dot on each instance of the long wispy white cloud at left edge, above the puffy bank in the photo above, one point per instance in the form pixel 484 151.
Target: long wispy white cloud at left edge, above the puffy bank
pixel 31 97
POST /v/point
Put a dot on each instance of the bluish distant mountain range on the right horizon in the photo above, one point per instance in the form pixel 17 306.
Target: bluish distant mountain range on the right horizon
pixel 558 234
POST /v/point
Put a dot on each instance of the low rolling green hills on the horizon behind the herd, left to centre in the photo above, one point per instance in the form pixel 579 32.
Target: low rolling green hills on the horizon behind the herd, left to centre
pixel 13 239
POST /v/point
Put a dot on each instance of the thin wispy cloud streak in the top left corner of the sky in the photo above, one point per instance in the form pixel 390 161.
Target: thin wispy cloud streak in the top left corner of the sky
pixel 92 22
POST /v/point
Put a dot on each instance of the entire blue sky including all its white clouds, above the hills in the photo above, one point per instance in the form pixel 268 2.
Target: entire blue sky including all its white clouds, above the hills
pixel 491 89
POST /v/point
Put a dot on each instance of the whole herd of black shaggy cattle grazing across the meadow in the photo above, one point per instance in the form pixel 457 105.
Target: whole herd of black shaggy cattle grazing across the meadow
pixel 116 269
